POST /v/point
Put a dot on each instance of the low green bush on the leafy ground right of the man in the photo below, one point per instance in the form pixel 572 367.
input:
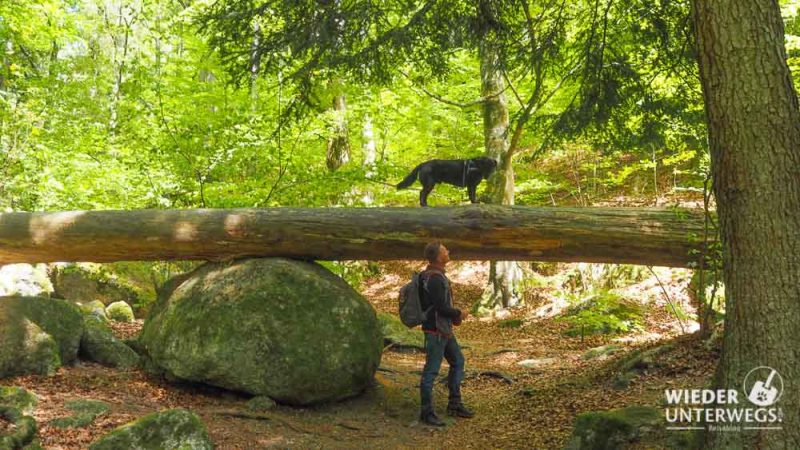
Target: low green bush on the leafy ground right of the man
pixel 603 313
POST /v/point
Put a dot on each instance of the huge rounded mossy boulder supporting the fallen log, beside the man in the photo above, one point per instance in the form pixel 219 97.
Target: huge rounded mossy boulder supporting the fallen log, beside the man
pixel 287 329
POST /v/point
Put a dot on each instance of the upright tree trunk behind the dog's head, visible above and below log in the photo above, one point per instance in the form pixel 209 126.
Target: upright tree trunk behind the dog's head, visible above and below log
pixel 501 291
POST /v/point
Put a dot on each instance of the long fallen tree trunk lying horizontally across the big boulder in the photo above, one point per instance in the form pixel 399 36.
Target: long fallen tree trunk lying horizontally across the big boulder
pixel 478 232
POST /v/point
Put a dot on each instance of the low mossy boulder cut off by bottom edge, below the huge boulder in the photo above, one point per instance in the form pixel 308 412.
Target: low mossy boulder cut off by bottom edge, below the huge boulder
pixel 172 429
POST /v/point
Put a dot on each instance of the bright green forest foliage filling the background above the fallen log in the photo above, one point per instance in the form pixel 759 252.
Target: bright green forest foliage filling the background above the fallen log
pixel 135 107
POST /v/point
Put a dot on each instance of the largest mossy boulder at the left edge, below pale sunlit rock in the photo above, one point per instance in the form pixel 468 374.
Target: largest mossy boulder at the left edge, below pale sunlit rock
pixel 37 335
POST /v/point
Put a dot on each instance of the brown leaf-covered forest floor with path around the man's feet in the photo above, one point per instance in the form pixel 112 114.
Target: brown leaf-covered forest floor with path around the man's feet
pixel 531 408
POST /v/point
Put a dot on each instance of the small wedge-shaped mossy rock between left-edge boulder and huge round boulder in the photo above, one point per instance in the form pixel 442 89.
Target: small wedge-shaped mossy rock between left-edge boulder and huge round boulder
pixel 99 344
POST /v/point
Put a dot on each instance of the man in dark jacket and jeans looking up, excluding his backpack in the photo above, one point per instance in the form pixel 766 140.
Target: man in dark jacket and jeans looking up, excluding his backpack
pixel 440 342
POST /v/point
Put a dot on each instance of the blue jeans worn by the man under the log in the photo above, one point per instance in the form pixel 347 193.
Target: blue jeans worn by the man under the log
pixel 438 348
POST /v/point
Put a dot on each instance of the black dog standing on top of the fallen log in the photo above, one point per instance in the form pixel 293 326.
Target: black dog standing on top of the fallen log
pixel 458 172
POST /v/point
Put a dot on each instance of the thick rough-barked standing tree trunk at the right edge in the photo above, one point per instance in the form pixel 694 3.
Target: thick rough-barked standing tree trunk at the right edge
pixel 754 137
